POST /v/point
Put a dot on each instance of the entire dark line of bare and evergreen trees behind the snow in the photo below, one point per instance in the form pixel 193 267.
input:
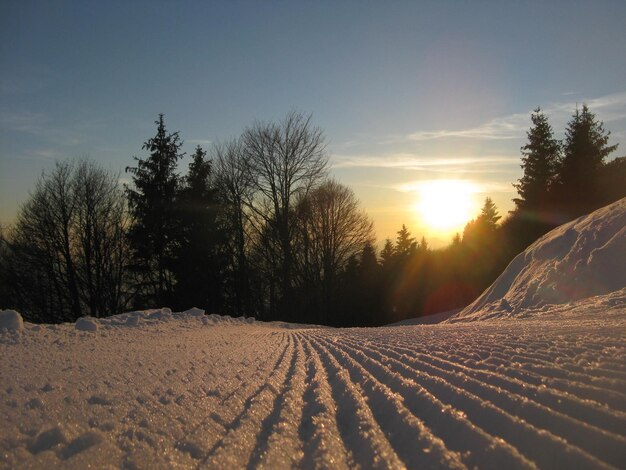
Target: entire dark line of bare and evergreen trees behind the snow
pixel 255 227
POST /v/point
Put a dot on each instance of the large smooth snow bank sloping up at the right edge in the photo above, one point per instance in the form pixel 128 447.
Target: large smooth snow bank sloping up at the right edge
pixel 581 259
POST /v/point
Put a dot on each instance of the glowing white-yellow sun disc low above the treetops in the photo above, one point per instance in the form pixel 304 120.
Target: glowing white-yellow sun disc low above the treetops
pixel 446 205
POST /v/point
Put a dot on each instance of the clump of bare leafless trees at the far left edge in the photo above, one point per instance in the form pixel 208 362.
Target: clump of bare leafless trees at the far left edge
pixel 66 255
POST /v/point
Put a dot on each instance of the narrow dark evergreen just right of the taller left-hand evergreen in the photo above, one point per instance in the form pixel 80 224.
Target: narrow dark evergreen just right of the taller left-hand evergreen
pixel 200 257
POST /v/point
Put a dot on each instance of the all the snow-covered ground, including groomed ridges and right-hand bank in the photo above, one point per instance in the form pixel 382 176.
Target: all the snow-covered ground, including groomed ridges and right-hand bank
pixel 541 384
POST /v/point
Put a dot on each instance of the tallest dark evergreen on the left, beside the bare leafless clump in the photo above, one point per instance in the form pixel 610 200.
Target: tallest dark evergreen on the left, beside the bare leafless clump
pixel 154 234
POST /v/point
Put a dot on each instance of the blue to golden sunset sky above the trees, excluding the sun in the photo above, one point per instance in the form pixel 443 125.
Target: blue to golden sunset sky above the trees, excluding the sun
pixel 406 92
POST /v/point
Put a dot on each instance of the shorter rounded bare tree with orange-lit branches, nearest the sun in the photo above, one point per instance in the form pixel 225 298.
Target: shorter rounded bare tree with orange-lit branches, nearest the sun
pixel 332 229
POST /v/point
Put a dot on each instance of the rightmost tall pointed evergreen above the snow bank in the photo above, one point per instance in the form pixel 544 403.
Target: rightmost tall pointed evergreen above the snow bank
pixel 586 147
